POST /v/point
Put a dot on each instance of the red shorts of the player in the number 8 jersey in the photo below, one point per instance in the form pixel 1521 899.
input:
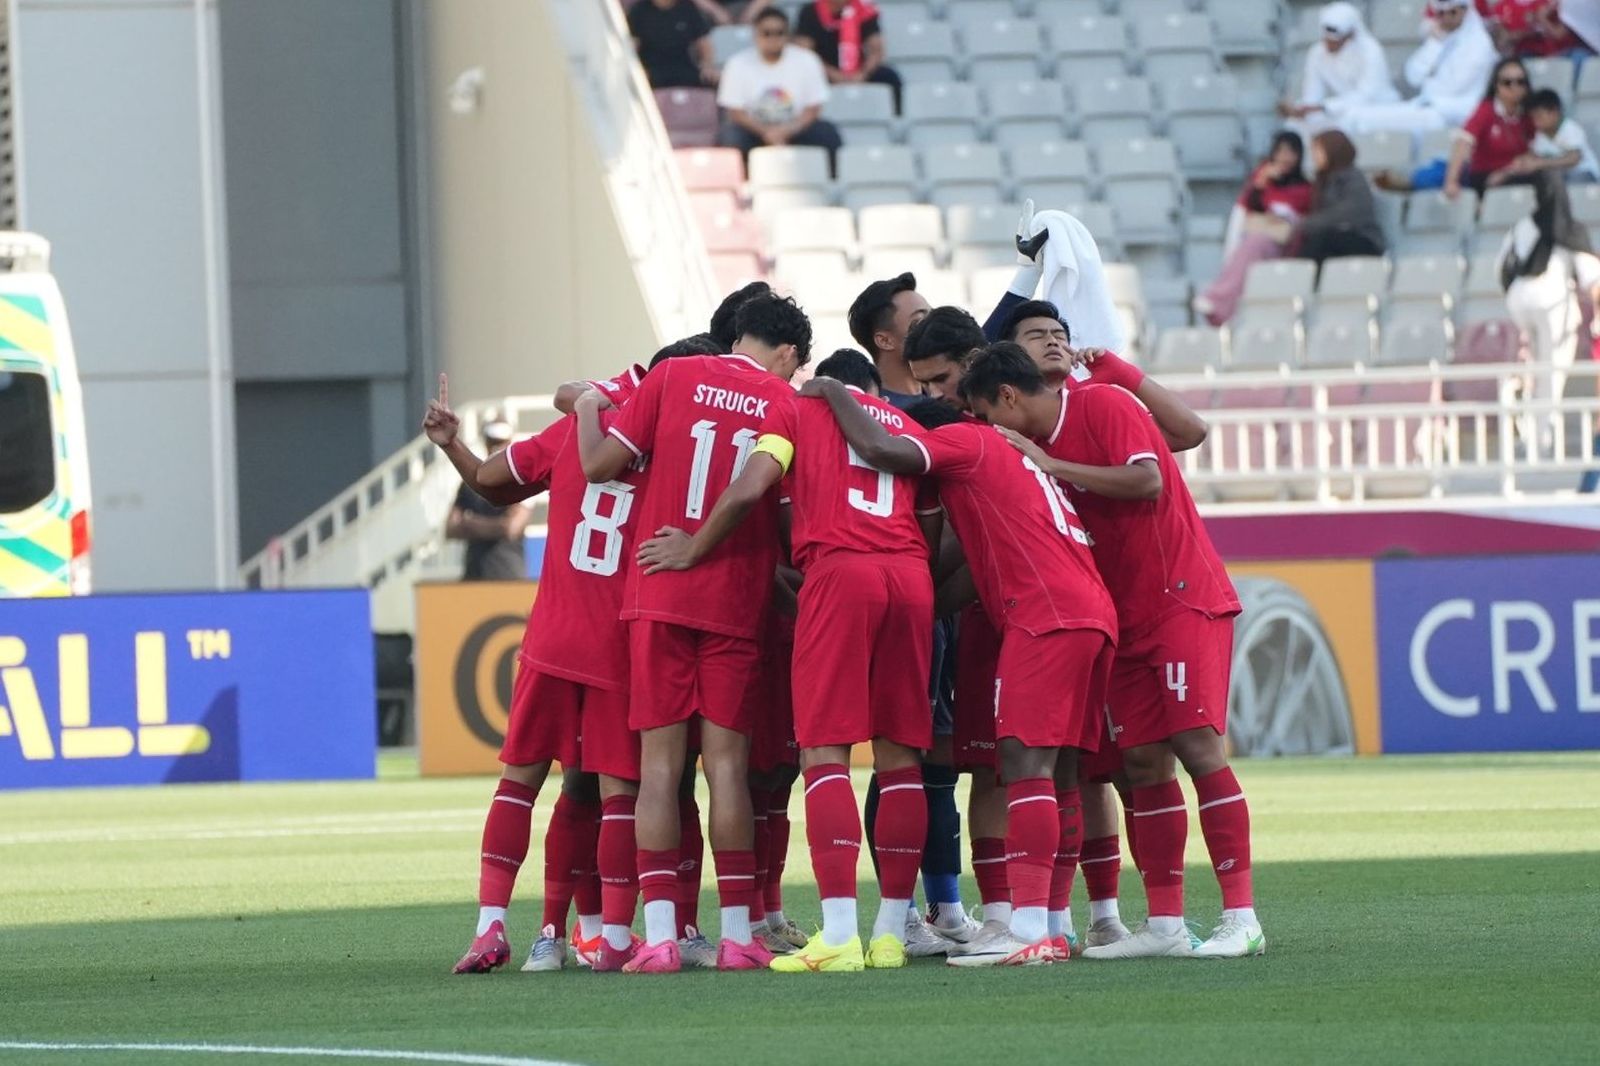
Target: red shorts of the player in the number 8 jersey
pixel 574 724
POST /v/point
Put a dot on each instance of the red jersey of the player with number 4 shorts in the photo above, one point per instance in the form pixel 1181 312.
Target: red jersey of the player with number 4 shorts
pixel 1154 555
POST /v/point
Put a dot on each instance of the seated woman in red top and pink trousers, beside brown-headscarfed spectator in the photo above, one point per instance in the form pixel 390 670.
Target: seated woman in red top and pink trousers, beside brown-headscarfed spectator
pixel 1276 198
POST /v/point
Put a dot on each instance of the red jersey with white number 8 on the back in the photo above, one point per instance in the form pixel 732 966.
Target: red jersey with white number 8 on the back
pixel 574 631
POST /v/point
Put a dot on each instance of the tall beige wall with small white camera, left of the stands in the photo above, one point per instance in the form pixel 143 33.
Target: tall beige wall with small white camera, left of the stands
pixel 530 281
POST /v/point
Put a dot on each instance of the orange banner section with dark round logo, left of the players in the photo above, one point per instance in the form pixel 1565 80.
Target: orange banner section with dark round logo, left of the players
pixel 468 638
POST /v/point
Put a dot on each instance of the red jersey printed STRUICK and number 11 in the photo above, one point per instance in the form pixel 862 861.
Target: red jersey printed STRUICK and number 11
pixel 697 419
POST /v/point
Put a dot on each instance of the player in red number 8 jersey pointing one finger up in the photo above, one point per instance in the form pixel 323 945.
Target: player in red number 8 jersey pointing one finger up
pixel 570 683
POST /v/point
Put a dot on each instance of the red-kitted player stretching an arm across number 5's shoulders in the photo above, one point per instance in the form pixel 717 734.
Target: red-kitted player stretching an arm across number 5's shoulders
pixel 1034 575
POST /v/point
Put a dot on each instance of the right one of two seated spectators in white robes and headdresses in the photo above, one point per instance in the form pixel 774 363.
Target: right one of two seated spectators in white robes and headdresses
pixel 1447 71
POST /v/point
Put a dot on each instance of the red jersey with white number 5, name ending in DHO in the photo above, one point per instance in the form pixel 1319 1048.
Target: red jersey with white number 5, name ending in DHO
pixel 839 502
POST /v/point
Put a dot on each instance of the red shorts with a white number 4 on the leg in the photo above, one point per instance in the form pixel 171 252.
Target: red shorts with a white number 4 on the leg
pixel 1172 679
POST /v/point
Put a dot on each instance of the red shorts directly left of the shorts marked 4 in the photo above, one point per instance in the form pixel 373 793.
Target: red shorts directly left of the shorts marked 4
pixel 1050 689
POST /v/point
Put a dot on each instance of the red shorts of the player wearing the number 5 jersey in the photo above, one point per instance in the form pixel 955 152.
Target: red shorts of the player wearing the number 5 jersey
pixel 863 647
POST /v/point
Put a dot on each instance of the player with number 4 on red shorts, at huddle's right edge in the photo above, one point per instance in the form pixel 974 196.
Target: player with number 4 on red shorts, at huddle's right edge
pixel 1169 694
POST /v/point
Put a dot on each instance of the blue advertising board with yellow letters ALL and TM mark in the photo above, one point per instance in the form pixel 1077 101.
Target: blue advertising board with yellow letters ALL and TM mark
pixel 207 687
